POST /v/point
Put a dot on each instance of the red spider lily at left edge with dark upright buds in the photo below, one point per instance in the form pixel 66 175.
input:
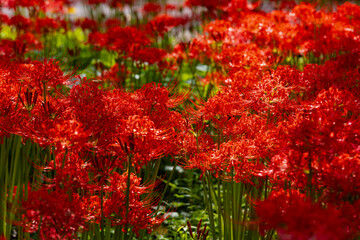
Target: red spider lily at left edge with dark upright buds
pixel 27 82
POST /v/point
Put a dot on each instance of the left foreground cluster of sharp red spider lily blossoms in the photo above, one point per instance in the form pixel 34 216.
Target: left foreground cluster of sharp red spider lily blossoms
pixel 85 142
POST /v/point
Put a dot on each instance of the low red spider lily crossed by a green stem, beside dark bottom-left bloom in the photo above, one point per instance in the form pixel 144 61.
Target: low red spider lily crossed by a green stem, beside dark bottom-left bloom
pixel 139 214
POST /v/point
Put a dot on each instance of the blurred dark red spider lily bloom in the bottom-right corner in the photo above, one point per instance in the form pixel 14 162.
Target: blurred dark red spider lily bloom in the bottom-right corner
pixel 295 217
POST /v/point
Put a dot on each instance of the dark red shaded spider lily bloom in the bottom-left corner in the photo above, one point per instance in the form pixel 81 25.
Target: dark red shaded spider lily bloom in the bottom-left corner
pixel 57 215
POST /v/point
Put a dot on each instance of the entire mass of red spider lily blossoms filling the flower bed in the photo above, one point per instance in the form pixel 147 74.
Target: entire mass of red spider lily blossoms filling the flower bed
pixel 295 130
